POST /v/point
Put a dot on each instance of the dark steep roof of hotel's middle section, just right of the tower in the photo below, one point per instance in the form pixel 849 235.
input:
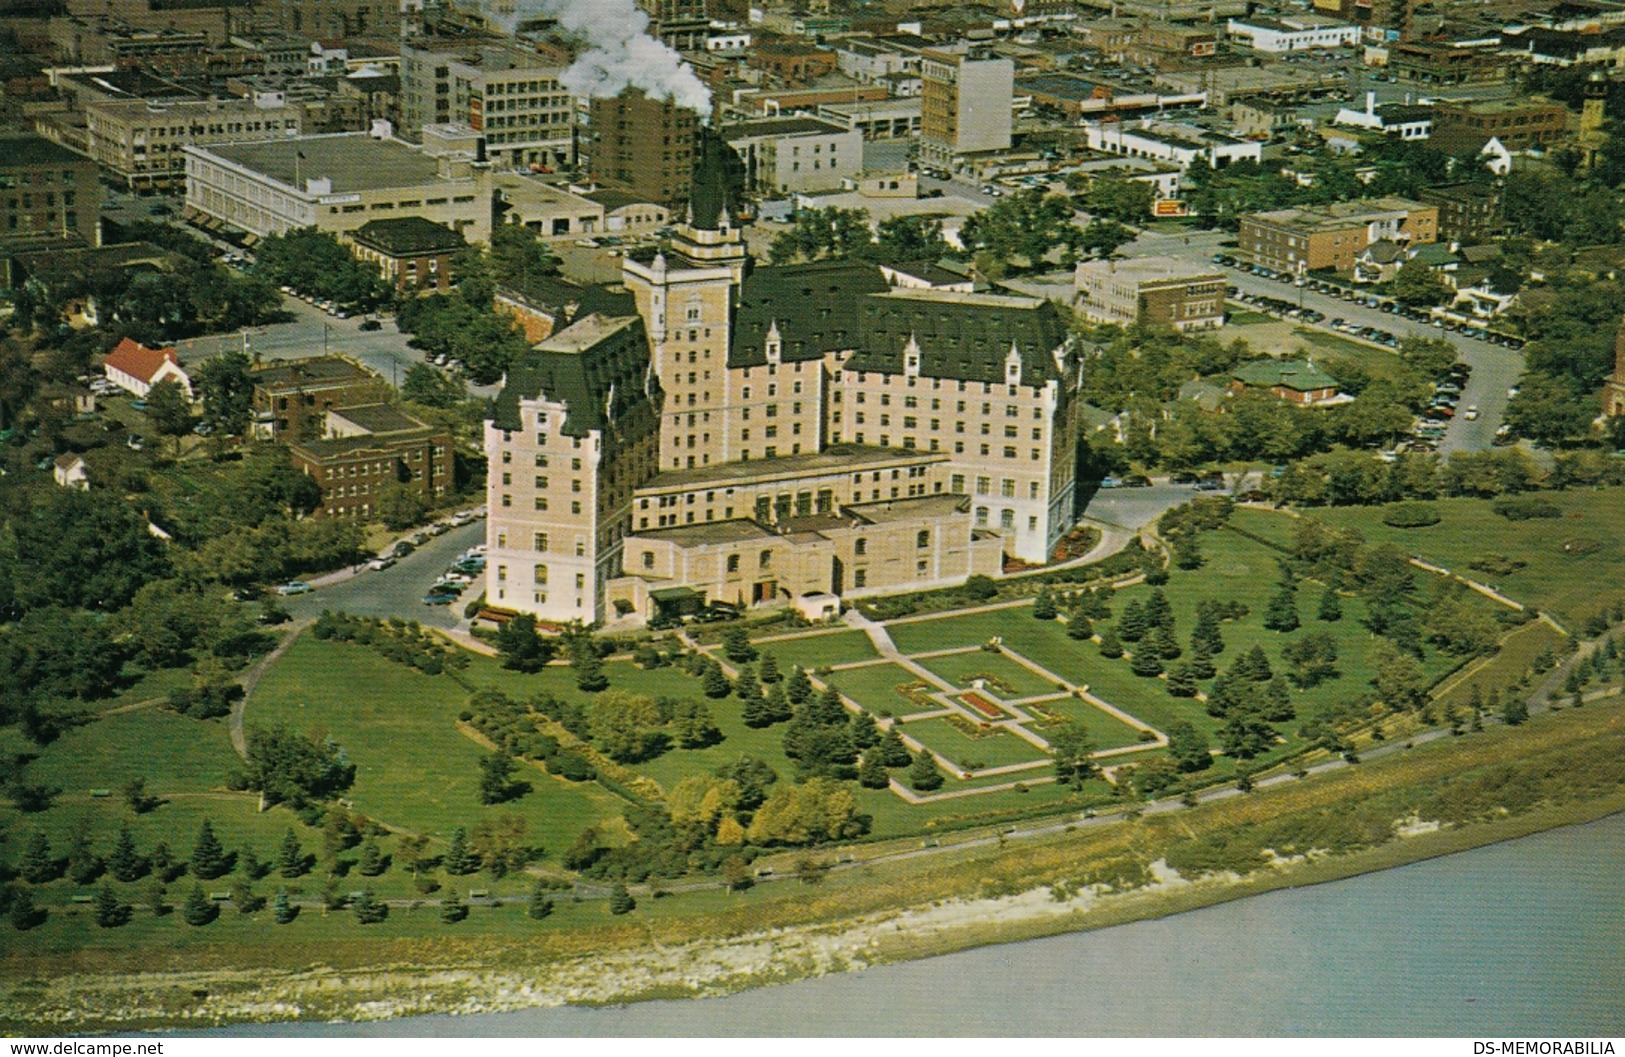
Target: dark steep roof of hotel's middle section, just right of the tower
pixel 813 305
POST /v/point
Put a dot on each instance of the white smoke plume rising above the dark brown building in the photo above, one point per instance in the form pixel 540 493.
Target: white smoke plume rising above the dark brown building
pixel 620 53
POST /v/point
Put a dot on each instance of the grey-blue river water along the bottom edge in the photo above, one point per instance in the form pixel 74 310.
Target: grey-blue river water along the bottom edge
pixel 1520 939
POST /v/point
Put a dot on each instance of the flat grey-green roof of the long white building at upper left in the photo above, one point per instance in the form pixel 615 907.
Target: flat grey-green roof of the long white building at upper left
pixel 352 160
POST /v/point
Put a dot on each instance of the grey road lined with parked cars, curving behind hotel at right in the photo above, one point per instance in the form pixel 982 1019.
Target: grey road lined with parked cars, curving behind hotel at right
pixel 1494 368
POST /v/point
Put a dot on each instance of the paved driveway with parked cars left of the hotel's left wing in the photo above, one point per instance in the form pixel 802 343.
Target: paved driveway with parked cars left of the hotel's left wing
pixel 399 591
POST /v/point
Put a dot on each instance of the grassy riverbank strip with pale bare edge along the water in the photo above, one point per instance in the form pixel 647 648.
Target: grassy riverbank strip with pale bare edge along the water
pixel 1080 881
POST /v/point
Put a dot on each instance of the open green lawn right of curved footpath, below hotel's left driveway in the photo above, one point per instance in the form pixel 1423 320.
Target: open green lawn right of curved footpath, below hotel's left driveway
pixel 414 768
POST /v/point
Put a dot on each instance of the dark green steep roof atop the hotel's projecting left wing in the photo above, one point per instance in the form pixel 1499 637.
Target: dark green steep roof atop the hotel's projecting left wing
pixel 599 368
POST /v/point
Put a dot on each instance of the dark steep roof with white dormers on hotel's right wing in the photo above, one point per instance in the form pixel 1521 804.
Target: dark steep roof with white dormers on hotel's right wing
pixel 963 337
